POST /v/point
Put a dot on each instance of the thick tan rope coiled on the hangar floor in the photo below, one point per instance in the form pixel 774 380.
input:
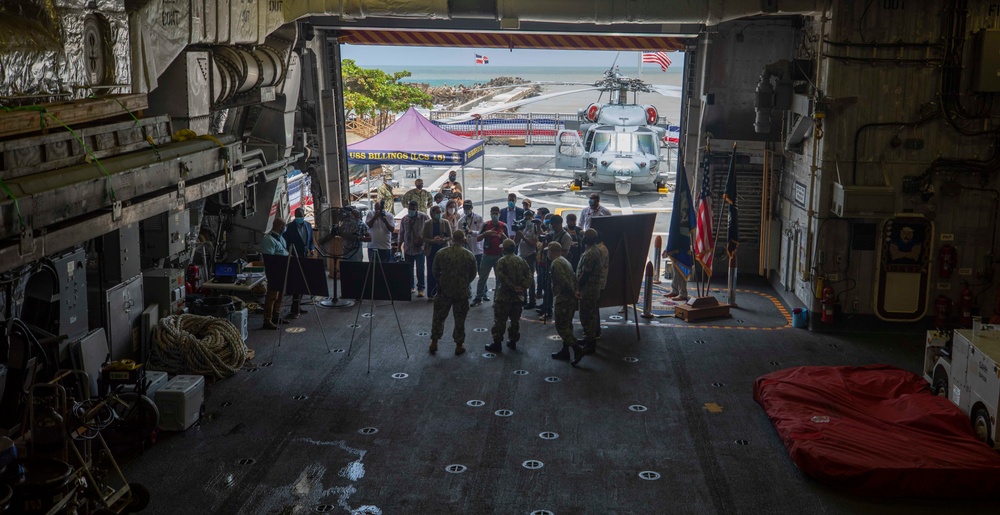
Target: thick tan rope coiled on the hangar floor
pixel 192 344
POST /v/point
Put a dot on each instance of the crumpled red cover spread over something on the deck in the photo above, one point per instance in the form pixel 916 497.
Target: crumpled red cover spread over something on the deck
pixel 887 435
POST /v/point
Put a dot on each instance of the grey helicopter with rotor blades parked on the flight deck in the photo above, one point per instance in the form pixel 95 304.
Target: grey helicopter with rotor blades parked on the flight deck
pixel 617 143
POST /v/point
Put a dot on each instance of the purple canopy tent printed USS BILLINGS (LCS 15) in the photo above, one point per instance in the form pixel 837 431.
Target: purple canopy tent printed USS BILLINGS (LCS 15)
pixel 415 140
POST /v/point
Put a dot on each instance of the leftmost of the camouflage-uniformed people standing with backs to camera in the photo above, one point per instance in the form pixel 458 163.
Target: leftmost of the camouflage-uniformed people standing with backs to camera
pixel 454 268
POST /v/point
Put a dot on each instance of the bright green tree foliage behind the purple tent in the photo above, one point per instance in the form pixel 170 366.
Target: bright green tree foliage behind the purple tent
pixel 375 94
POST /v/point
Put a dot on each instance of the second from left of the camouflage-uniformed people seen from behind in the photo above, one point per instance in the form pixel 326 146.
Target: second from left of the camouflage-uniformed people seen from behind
pixel 513 277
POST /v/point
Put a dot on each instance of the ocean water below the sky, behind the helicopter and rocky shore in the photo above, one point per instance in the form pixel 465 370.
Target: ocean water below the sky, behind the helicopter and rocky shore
pixel 579 77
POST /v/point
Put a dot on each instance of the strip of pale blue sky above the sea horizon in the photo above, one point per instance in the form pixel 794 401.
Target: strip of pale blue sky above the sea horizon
pixel 372 55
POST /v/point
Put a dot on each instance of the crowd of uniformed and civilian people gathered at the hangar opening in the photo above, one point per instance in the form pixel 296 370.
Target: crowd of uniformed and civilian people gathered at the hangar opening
pixel 538 259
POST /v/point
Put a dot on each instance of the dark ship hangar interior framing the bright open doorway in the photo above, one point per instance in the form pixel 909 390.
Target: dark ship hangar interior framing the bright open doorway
pixel 140 136
